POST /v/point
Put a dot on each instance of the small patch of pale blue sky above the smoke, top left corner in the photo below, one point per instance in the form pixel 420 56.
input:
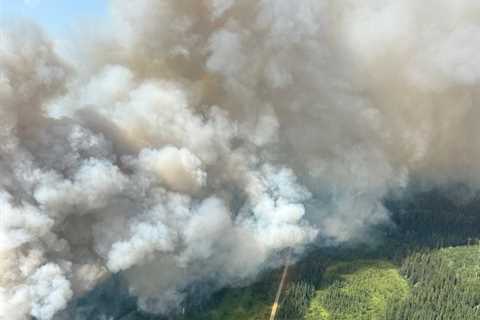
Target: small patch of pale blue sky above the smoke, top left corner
pixel 54 15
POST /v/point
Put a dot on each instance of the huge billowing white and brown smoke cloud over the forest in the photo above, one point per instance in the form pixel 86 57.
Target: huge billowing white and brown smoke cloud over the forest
pixel 194 141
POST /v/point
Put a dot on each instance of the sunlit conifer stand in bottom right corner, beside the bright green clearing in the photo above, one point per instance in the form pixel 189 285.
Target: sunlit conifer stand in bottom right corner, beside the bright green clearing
pixel 446 285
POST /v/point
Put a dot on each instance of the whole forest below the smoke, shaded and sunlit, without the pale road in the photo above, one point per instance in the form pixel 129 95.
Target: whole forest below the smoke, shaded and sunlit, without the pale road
pixel 424 268
